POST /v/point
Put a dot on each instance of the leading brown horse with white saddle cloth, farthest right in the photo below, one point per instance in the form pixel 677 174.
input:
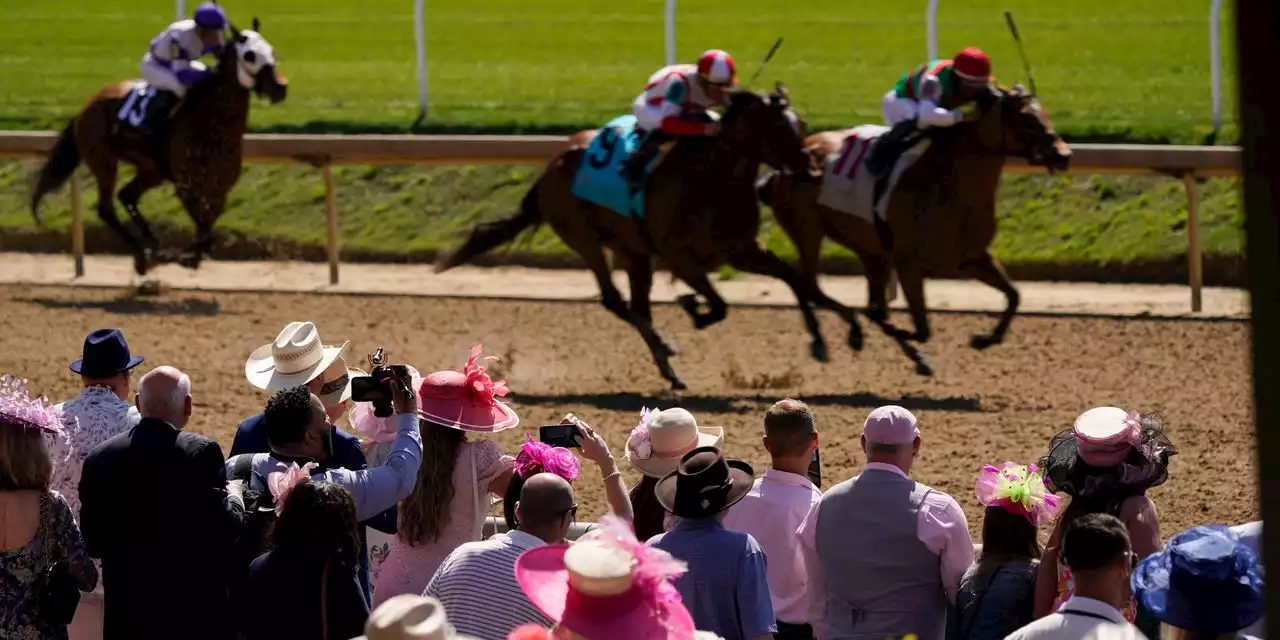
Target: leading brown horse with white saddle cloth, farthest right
pixel 940 218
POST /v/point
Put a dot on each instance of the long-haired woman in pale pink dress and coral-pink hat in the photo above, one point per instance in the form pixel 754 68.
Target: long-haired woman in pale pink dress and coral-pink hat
pixel 451 499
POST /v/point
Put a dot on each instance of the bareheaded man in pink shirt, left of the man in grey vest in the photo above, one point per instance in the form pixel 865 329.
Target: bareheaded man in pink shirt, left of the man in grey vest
pixel 778 506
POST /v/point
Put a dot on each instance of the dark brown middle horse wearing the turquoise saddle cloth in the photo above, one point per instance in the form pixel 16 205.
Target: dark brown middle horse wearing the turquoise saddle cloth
pixel 701 213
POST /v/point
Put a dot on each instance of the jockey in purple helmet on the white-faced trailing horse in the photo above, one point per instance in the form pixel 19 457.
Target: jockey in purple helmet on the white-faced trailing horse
pixel 173 65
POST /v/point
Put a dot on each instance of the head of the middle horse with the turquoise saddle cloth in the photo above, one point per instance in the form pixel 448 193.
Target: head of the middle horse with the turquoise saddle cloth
pixel 767 127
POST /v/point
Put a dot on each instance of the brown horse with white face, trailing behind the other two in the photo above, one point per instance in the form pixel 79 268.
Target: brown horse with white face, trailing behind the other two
pixel 199 152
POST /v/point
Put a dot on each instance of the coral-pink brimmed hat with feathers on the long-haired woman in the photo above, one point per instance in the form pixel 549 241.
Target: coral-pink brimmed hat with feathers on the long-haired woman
pixel 467 400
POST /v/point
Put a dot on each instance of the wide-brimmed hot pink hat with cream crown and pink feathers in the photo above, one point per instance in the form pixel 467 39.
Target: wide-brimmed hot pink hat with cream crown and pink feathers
pixel 607 587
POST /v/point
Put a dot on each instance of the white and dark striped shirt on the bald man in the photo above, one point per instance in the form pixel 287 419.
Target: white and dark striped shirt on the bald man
pixel 478 587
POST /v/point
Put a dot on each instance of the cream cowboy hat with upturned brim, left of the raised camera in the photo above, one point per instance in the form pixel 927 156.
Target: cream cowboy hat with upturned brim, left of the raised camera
pixel 295 358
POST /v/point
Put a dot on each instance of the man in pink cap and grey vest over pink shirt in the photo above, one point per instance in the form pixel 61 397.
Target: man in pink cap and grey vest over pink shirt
pixel 885 554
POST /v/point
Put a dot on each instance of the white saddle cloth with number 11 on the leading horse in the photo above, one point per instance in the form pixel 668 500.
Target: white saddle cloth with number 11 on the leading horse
pixel 849 188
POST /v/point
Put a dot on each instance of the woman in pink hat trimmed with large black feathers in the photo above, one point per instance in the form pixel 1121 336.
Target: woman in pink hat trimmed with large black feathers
pixel 1105 464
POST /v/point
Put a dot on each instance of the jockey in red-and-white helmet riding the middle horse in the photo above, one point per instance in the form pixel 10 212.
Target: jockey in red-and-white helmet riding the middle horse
pixel 676 102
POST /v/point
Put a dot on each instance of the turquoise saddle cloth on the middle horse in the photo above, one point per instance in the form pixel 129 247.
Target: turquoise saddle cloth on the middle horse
pixel 600 181
